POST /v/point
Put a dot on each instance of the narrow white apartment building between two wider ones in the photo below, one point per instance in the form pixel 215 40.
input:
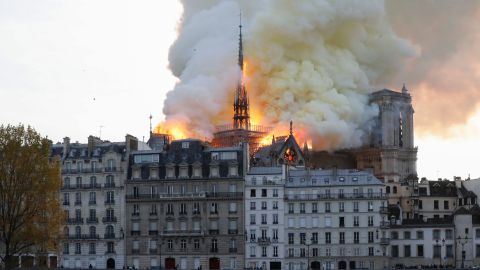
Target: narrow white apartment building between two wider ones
pixel 264 218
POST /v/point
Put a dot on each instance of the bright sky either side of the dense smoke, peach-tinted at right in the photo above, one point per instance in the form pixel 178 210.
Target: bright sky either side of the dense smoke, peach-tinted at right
pixel 80 68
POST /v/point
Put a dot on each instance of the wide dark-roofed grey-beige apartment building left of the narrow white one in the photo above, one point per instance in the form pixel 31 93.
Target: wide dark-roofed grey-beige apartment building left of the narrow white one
pixel 184 207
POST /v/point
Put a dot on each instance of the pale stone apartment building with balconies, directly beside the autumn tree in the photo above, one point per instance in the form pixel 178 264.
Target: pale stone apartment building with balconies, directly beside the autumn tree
pixel 92 196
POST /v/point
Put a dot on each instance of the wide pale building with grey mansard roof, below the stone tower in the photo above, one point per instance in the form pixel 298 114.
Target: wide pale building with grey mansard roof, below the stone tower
pixel 335 219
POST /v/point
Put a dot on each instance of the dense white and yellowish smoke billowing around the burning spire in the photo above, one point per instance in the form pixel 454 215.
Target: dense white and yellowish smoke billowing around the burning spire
pixel 313 62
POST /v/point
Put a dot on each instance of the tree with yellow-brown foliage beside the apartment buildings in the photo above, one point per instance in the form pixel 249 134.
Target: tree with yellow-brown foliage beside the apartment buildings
pixel 30 212
